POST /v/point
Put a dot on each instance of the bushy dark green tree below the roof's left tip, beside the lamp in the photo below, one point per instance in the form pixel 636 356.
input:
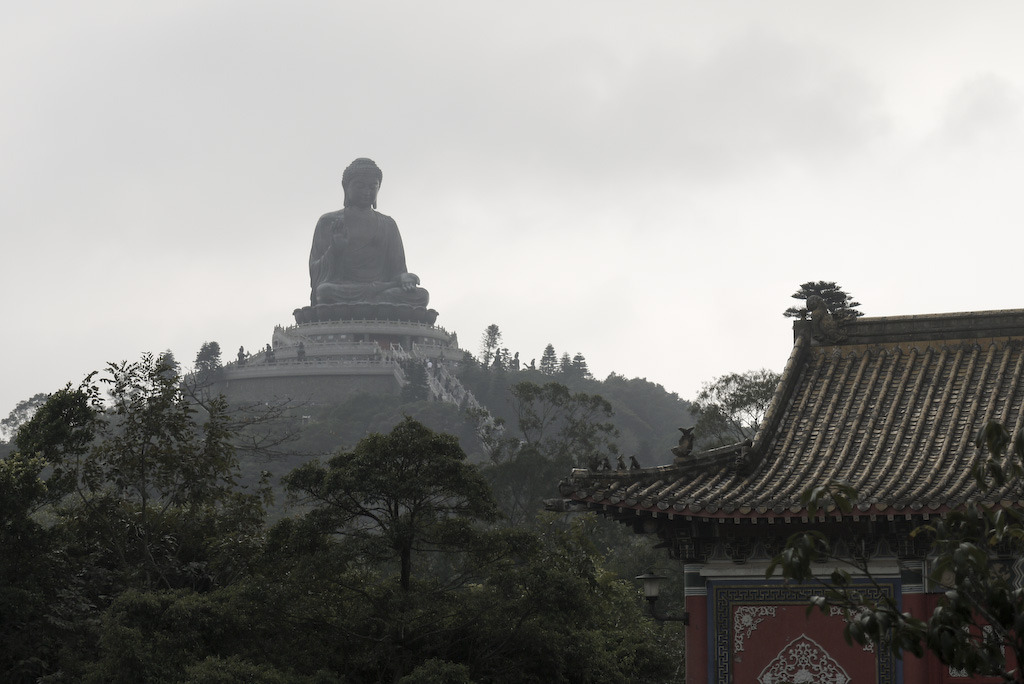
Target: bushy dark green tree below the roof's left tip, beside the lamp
pixel 577 621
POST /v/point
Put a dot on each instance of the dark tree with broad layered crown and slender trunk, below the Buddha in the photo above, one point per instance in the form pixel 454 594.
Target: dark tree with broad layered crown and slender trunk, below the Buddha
pixel 395 501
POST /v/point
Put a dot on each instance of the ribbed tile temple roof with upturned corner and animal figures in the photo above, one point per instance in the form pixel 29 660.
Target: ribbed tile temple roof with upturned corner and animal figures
pixel 889 405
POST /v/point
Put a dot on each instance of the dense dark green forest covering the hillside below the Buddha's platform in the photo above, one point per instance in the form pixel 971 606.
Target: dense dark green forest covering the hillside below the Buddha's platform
pixel 174 538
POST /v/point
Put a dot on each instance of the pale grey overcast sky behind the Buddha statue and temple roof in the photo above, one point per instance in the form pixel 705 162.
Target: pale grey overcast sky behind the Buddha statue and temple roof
pixel 644 183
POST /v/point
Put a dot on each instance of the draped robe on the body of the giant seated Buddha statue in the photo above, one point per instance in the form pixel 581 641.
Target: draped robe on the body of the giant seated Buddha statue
pixel 367 269
